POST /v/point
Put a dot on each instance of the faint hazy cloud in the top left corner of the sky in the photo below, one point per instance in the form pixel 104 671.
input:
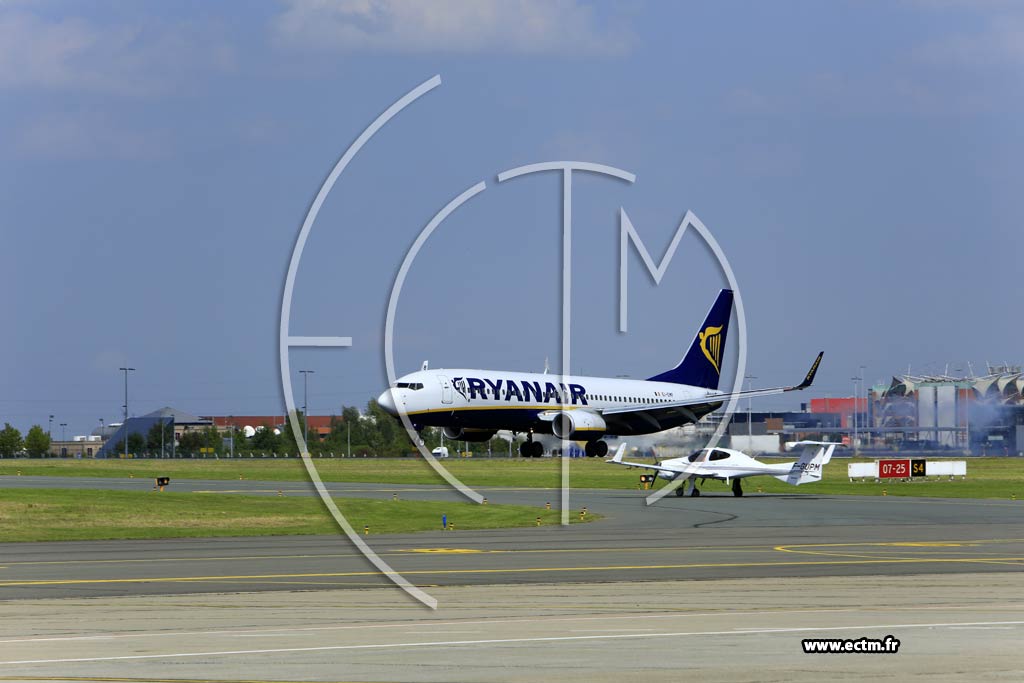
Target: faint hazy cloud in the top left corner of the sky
pixel 74 54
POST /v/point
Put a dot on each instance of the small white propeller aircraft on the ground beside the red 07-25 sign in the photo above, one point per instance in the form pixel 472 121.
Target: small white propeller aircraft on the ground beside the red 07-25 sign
pixel 733 466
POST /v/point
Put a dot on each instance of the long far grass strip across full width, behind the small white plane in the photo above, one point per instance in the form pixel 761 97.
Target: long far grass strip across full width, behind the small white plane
pixel 988 478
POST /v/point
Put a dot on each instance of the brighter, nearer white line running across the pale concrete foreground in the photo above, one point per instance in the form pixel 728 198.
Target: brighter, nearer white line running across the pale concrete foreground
pixel 506 642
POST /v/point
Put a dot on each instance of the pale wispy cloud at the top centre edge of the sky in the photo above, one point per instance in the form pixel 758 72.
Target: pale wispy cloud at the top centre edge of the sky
pixel 528 27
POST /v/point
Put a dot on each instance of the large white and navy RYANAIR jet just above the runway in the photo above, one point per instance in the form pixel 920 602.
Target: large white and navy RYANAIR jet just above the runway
pixel 473 405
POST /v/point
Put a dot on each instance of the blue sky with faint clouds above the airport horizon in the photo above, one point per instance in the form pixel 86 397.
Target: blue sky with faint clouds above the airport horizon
pixel 860 163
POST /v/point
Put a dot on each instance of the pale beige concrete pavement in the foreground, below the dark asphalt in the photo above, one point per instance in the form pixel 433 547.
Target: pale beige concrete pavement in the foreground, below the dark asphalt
pixel 950 628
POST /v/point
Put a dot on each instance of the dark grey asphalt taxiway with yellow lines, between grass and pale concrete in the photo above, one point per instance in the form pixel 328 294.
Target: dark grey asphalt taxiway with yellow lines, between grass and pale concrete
pixel 707 538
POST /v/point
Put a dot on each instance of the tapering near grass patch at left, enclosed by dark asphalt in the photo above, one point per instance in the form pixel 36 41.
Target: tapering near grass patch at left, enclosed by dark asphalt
pixel 61 515
